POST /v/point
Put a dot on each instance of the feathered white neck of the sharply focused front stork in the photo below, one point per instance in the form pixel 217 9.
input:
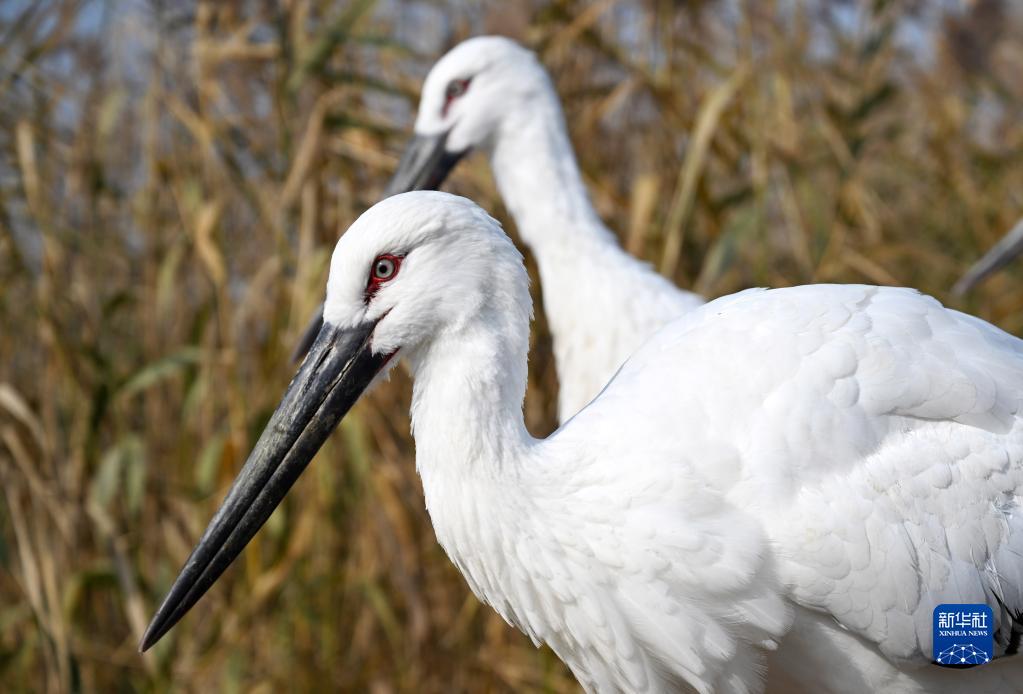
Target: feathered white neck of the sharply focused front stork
pixel 471 441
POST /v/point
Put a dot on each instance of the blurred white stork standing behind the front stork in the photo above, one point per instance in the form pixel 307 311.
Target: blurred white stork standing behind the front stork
pixel 493 95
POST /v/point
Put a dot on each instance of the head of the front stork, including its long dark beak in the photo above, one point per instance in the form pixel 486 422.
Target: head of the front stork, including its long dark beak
pixel 410 270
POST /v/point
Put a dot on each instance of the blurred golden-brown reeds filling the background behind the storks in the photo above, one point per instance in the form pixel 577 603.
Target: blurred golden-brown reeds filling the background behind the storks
pixel 173 178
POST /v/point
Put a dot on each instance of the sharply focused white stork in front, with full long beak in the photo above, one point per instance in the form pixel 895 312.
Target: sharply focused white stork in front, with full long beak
pixel 792 479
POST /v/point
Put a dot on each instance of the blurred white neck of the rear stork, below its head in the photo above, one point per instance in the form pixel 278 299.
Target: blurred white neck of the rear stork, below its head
pixel 601 302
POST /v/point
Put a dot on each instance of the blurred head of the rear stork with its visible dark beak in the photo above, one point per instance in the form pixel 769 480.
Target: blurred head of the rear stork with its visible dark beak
pixel 466 101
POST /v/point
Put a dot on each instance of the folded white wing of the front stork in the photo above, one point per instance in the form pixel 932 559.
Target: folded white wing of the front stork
pixel 878 444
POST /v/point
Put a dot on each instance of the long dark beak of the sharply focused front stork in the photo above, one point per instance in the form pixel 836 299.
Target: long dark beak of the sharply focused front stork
pixel 339 368
